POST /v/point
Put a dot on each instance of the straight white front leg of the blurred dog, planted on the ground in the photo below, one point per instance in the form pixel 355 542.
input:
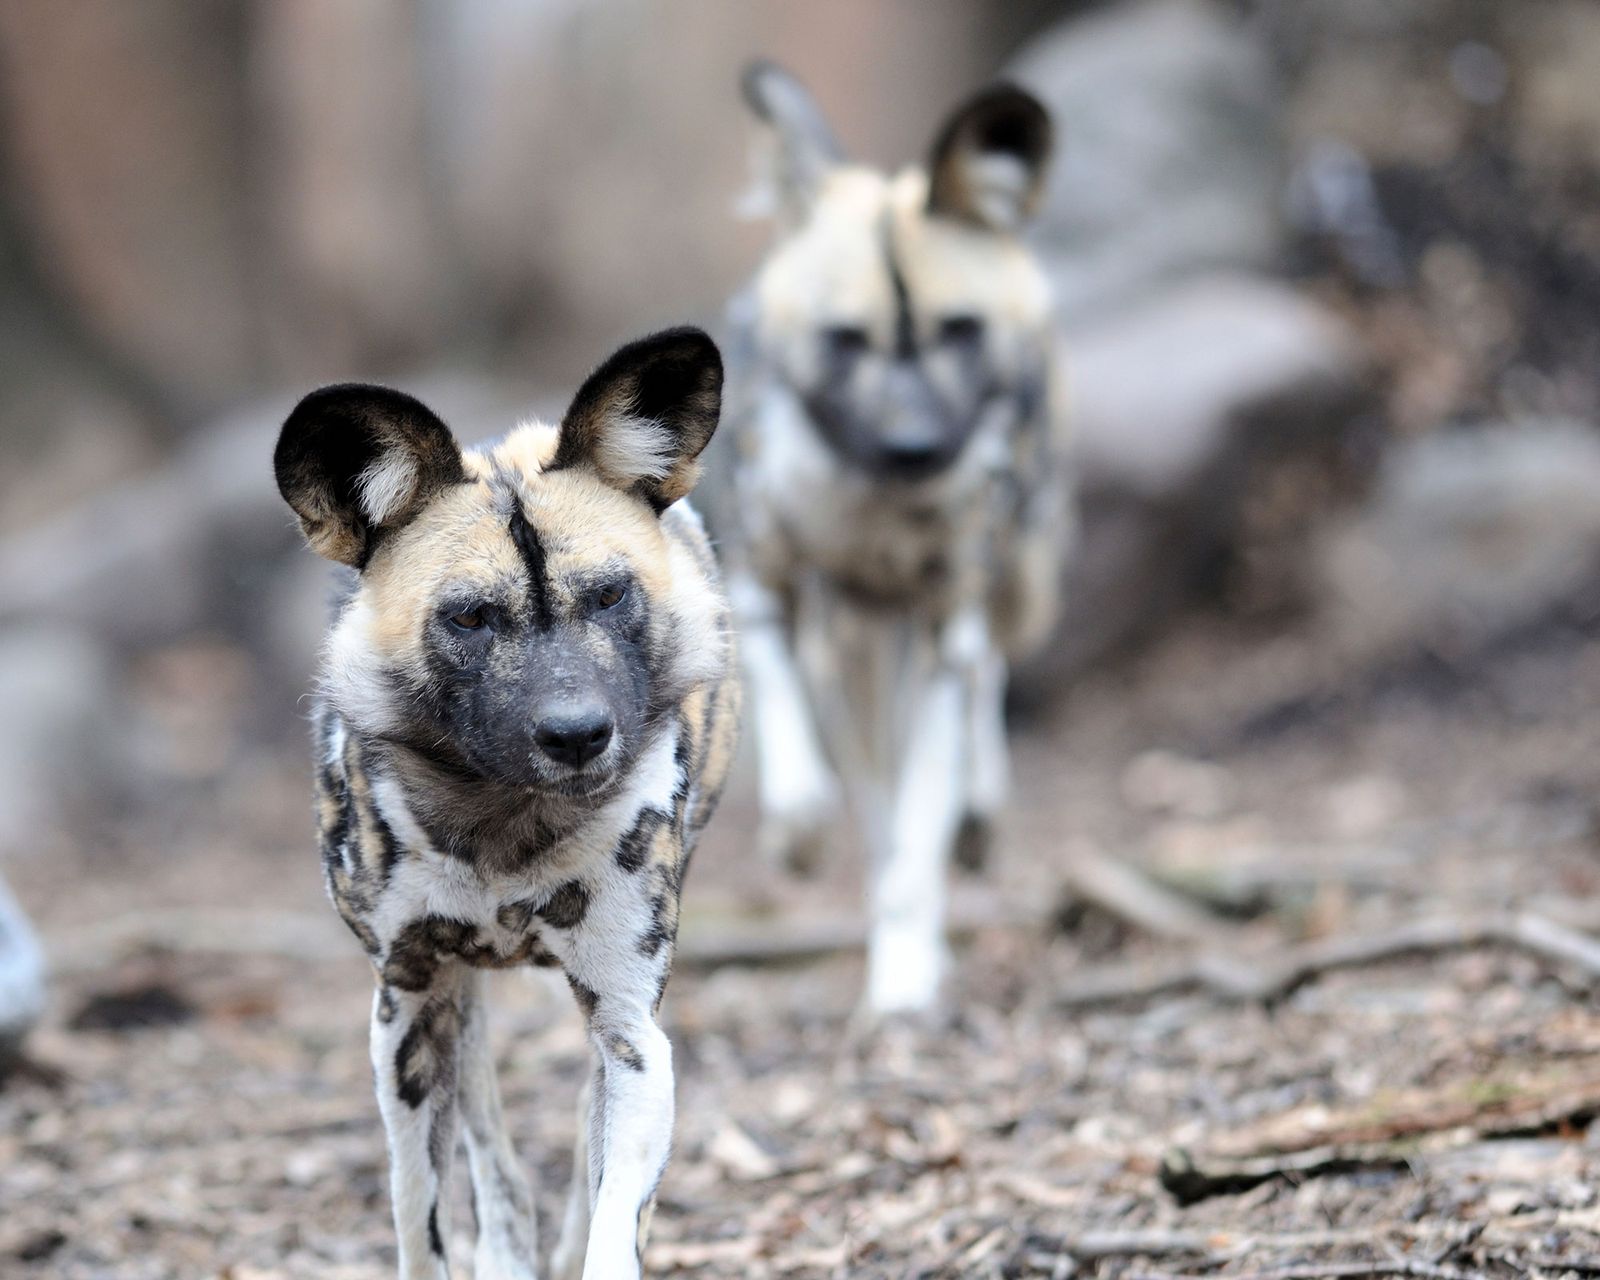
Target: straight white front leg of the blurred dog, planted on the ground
pixel 906 953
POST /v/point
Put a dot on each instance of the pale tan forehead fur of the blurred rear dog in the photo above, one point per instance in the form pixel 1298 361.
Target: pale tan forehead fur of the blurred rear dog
pixel 831 270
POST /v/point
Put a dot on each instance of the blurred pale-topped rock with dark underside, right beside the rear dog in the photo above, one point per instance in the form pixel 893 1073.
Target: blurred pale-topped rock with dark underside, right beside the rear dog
pixel 1175 399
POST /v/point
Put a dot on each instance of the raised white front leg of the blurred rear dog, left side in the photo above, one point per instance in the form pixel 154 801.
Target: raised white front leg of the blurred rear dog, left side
pixel 799 794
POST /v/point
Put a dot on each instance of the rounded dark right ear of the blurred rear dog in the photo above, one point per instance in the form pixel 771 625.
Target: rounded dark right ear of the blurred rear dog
pixel 988 164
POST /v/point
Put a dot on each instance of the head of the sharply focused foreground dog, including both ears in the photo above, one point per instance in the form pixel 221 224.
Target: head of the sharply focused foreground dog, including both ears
pixel 519 615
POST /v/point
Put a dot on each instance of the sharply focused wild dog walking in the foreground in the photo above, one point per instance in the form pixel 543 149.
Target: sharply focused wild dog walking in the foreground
pixel 527 716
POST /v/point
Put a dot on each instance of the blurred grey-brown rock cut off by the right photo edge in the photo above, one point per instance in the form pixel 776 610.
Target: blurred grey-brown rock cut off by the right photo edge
pixel 1470 535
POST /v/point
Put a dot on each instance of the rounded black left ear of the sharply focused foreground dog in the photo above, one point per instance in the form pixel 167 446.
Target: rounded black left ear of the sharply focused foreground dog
pixel 356 462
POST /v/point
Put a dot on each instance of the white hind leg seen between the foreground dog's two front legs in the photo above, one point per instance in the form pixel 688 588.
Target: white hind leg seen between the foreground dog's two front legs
pixel 502 1194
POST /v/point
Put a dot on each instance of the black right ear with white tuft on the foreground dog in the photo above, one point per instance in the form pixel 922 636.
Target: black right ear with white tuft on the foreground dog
pixel 644 417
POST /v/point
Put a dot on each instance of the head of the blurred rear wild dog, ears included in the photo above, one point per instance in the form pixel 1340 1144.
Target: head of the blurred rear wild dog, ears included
pixel 902 311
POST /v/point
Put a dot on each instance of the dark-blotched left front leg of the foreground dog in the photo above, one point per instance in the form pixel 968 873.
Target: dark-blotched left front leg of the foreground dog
pixel 415 1047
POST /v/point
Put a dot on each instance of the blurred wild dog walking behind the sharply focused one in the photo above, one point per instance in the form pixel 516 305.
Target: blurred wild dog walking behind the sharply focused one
pixel 902 494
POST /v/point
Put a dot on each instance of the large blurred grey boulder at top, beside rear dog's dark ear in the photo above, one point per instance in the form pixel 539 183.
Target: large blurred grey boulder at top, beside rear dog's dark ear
pixel 1167 154
